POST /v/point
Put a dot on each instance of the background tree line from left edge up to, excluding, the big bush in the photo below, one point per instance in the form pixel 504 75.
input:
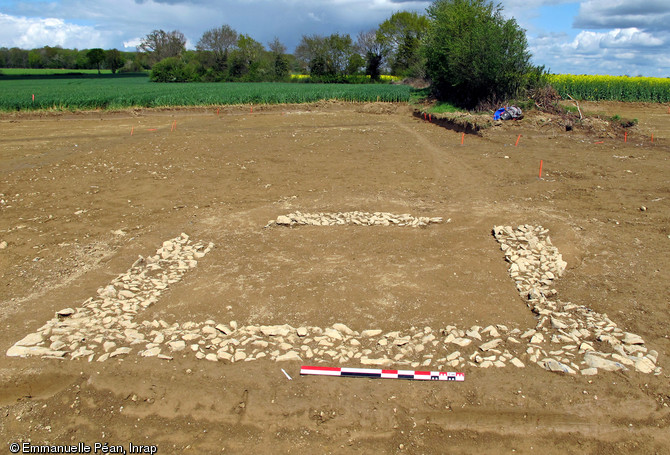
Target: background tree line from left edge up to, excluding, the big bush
pixel 223 54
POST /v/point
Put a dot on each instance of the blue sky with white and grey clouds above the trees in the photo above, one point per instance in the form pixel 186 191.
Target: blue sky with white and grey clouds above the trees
pixel 616 37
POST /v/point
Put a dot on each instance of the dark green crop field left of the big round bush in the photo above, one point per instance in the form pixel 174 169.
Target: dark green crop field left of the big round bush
pixel 113 92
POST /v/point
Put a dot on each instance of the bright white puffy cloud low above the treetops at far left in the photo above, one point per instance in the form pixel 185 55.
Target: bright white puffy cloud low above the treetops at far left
pixel 29 33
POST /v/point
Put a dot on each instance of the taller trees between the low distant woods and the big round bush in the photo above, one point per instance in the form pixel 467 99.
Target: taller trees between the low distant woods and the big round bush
pixel 223 54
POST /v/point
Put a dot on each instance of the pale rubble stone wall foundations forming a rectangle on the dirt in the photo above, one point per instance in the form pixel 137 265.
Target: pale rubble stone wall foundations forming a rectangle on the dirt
pixel 564 337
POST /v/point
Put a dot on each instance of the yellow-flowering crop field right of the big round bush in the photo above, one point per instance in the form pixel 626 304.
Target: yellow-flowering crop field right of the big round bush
pixel 612 88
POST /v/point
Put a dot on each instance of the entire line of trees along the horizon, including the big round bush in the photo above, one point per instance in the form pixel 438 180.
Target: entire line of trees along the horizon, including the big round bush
pixel 468 50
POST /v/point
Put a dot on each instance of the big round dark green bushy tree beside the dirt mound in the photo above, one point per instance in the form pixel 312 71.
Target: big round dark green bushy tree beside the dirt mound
pixel 474 54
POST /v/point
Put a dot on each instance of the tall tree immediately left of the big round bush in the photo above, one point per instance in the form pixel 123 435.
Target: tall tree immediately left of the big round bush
pixel 402 34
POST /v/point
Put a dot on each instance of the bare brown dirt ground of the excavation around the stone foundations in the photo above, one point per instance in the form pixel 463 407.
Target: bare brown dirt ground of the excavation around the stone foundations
pixel 82 199
